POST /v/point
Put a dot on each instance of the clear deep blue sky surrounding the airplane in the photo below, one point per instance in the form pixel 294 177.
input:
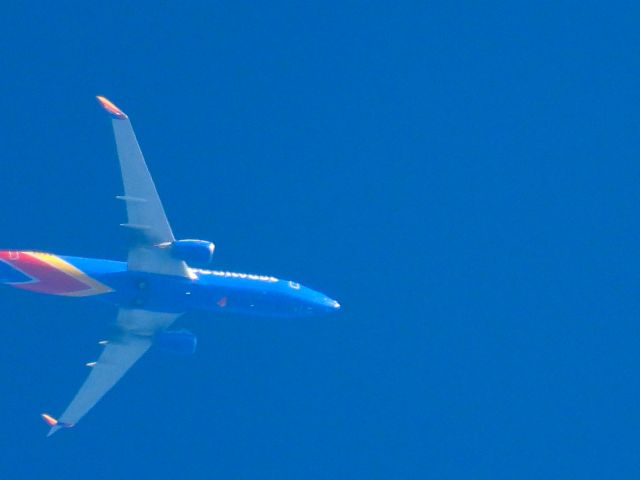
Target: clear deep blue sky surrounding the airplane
pixel 462 177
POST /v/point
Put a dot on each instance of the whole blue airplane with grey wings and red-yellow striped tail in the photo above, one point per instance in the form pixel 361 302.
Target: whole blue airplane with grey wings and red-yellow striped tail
pixel 162 279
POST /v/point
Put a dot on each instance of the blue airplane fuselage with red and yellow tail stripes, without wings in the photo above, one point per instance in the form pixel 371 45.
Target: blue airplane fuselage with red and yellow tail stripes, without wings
pixel 207 290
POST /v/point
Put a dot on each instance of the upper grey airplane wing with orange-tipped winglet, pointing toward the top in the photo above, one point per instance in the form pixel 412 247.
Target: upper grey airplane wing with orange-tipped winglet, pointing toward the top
pixel 146 218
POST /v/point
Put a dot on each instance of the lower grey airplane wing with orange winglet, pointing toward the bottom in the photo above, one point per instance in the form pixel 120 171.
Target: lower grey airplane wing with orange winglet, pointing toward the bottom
pixel 136 330
